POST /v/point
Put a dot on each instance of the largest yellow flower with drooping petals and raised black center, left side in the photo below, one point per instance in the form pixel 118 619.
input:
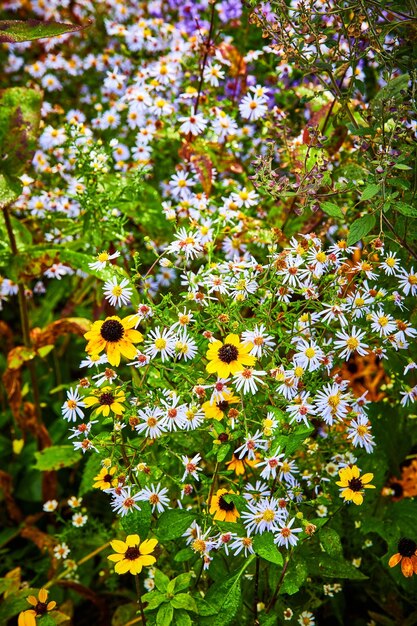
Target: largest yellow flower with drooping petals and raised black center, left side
pixel 115 336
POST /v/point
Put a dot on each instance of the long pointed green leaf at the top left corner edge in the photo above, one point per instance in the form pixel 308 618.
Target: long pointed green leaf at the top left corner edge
pixel 15 31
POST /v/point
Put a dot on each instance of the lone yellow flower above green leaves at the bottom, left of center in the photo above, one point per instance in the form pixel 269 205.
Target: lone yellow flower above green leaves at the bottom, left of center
pixel 131 555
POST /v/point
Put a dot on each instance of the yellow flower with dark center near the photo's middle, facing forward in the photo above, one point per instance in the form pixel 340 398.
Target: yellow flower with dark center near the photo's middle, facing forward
pixel 228 357
